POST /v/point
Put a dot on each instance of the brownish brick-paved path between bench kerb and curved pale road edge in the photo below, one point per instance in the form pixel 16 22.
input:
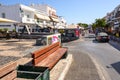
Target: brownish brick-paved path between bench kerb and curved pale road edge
pixel 82 67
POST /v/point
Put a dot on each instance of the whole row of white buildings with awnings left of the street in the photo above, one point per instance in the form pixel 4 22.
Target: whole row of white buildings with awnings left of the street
pixel 35 17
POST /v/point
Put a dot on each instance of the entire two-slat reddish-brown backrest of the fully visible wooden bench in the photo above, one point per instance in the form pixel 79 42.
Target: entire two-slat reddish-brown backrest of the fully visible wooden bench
pixel 41 54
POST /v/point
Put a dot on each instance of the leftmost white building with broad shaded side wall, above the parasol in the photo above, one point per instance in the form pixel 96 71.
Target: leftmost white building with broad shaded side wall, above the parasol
pixel 20 13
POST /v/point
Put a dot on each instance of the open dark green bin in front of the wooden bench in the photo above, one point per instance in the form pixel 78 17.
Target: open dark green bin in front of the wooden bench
pixel 42 71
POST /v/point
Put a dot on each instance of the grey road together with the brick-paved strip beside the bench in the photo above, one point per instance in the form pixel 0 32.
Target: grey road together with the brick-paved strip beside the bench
pixel 104 55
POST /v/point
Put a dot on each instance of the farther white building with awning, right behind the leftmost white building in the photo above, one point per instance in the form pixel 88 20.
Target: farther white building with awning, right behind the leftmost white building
pixel 49 11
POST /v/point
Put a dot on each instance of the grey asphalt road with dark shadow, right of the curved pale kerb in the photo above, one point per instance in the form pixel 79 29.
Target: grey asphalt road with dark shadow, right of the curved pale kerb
pixel 106 55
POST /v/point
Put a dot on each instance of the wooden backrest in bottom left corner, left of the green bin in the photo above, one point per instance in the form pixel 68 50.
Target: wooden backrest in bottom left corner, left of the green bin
pixel 8 71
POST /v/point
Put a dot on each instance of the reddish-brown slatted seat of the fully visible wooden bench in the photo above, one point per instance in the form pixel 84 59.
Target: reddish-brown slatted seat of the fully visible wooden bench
pixel 52 59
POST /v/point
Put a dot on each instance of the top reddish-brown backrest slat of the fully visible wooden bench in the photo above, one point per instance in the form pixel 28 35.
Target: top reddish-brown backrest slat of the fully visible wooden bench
pixel 44 50
